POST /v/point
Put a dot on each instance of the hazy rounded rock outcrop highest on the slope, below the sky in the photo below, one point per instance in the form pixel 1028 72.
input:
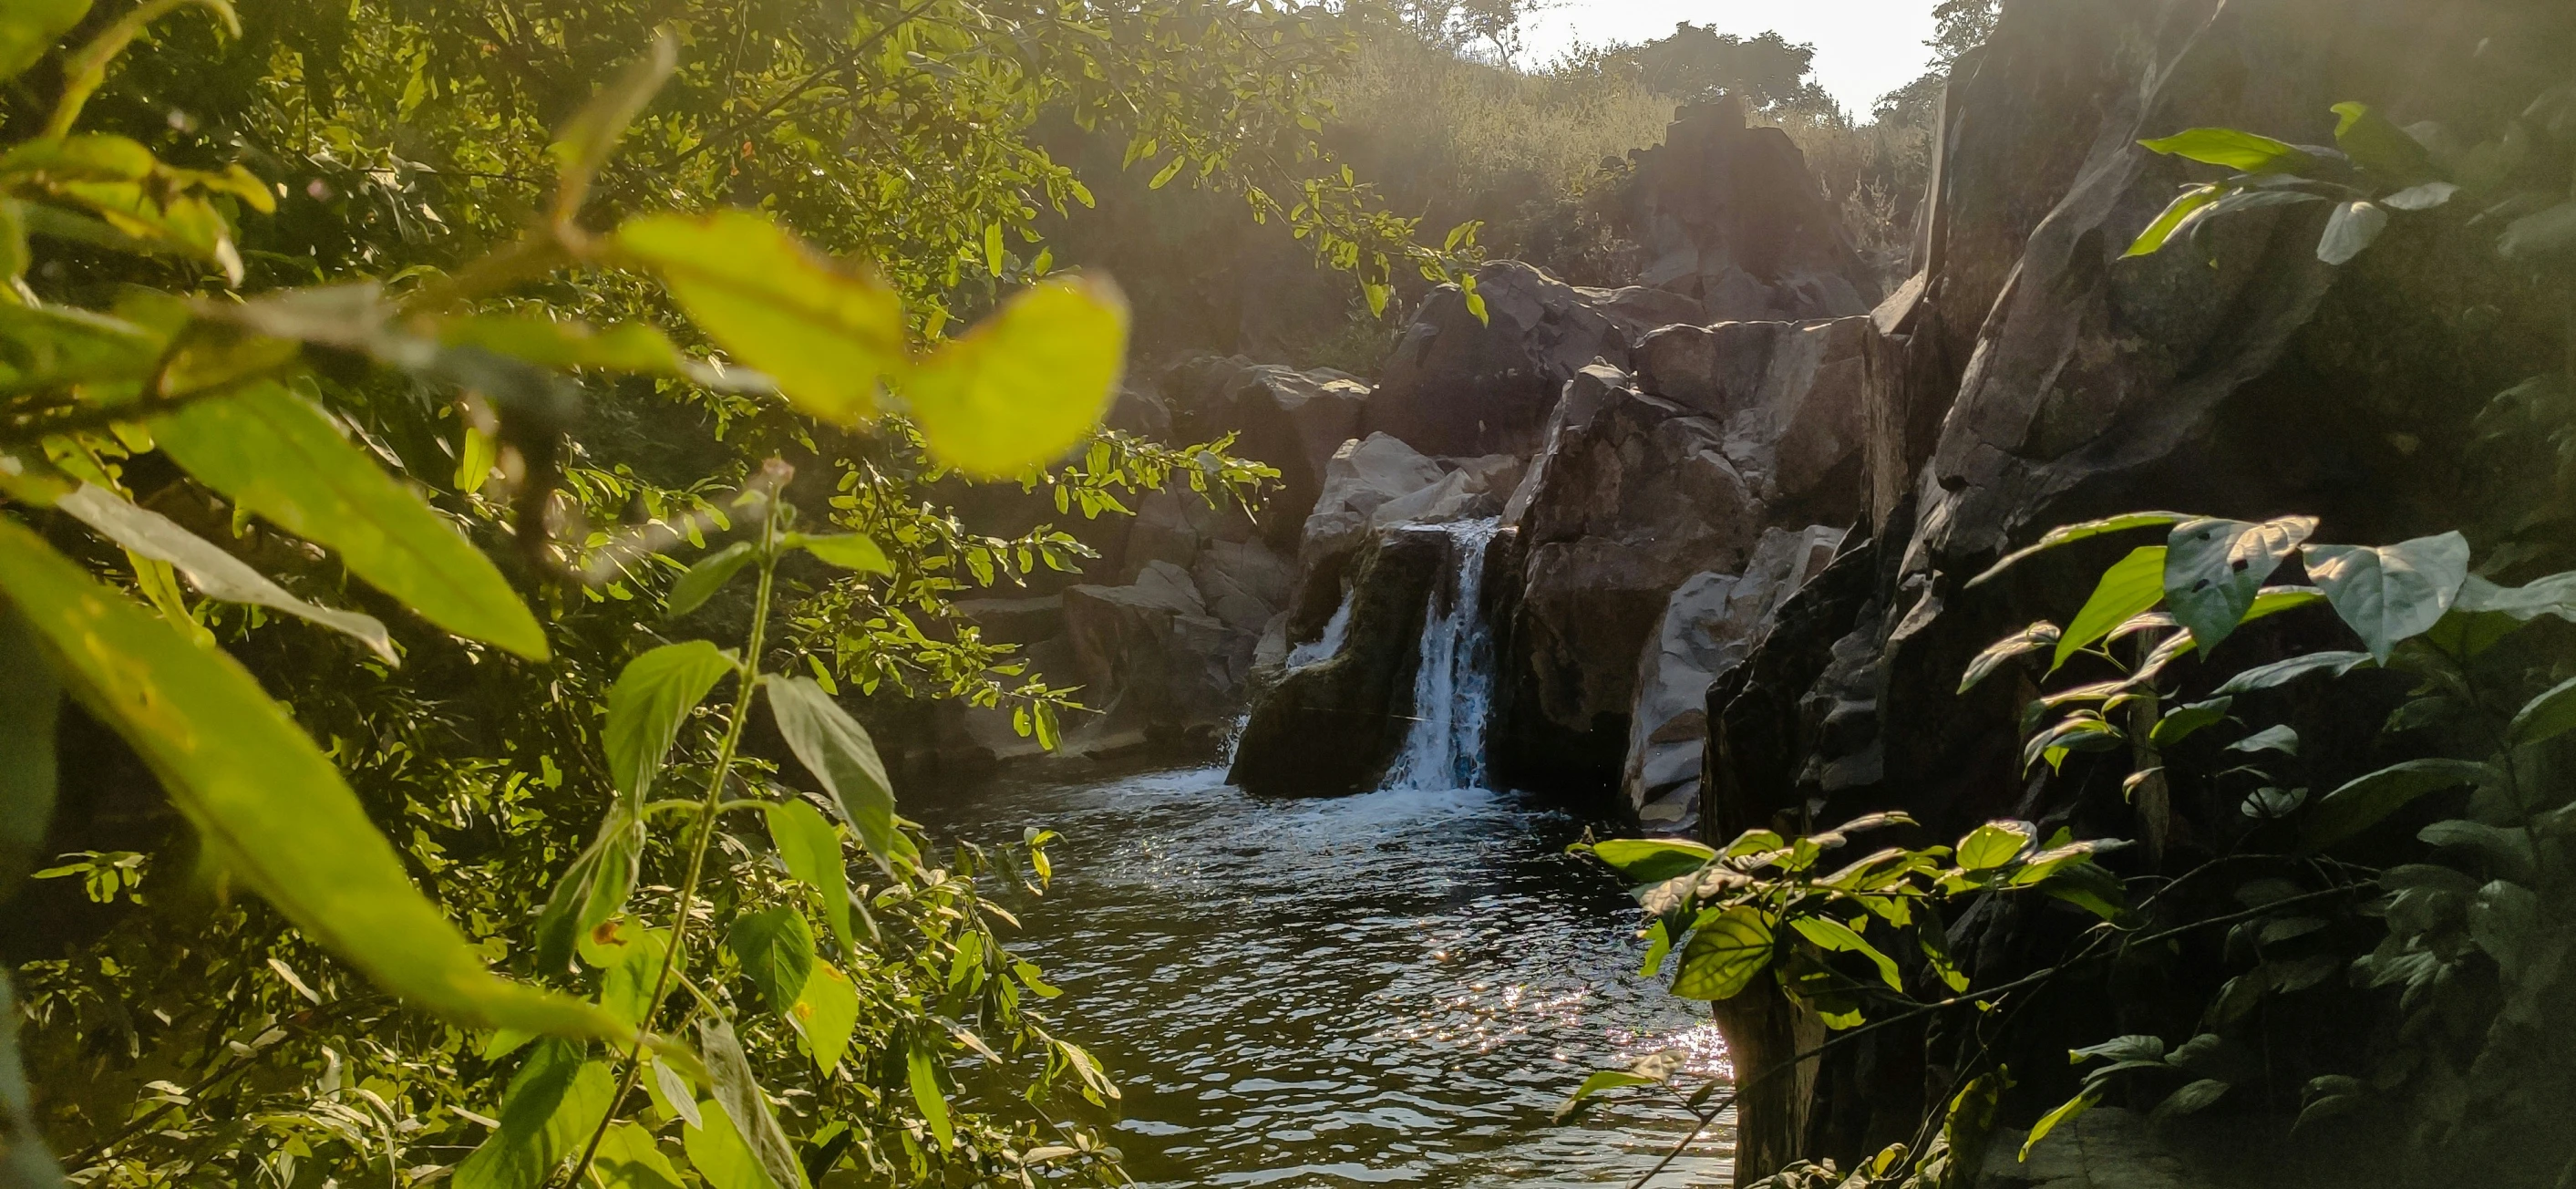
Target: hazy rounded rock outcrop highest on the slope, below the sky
pixel 1732 221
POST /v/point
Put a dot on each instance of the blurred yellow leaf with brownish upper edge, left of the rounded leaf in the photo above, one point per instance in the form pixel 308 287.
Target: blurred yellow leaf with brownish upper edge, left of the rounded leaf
pixel 828 337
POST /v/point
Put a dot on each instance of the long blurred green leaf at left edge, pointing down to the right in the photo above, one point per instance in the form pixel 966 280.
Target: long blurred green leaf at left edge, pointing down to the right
pixel 264 801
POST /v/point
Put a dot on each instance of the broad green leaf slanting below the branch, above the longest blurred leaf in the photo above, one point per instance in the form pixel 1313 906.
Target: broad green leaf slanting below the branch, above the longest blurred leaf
pixel 282 458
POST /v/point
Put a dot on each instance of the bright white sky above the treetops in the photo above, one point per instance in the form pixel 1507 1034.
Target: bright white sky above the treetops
pixel 1864 48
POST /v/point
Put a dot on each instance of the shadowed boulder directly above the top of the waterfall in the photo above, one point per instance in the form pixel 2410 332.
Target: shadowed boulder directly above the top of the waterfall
pixel 1464 386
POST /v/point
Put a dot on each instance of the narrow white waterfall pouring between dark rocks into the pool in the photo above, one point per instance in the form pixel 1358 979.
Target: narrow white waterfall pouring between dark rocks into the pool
pixel 1454 687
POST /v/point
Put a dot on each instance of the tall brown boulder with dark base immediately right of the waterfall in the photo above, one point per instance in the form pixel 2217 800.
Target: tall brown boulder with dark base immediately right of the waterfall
pixel 1629 496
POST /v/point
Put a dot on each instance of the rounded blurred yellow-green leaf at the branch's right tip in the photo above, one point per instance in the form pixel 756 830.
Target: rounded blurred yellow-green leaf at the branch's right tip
pixel 1027 383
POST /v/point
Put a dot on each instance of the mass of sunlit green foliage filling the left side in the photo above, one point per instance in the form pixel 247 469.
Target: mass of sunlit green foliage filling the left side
pixel 331 300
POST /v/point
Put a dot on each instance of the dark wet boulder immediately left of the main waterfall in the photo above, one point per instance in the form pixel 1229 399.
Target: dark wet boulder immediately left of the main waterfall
pixel 1336 723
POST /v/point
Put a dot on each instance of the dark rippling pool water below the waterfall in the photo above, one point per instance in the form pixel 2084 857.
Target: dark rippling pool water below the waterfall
pixel 1382 989
